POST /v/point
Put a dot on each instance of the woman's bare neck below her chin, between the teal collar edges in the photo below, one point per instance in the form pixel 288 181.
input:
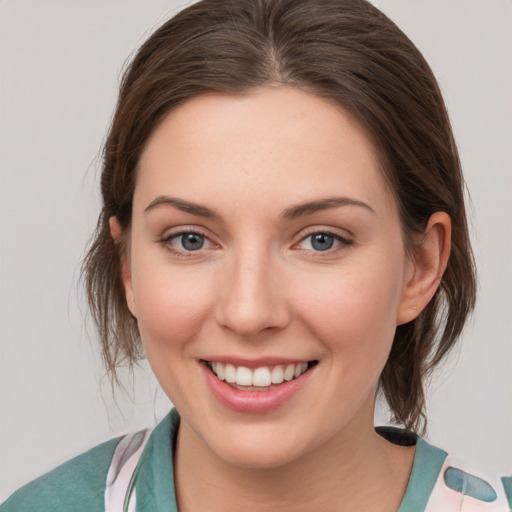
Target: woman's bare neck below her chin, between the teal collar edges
pixel 355 470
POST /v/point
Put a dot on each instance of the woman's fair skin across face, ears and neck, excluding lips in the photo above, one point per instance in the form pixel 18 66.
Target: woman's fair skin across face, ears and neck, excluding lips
pixel 258 289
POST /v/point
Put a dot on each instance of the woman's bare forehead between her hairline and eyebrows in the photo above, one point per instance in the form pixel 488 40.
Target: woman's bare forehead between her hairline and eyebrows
pixel 280 142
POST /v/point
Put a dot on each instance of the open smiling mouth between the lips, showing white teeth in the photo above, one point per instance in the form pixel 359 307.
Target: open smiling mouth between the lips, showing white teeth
pixel 263 378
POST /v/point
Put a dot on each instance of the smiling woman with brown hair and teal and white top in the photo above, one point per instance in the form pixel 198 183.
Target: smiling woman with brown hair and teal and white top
pixel 283 232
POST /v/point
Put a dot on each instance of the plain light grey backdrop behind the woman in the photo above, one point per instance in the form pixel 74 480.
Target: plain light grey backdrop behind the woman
pixel 60 68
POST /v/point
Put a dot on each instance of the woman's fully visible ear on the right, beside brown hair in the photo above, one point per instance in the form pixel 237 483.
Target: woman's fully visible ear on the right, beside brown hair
pixel 428 262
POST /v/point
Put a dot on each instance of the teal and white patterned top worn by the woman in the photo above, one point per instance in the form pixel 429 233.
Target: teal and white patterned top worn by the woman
pixel 135 473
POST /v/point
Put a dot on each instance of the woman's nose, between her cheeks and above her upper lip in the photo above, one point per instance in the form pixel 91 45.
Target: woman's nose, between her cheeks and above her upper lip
pixel 251 297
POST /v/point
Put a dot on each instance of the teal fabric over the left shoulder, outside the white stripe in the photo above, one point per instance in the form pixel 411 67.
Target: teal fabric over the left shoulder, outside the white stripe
pixel 77 485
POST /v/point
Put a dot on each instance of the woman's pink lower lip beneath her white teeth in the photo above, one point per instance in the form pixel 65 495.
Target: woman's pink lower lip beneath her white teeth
pixel 254 401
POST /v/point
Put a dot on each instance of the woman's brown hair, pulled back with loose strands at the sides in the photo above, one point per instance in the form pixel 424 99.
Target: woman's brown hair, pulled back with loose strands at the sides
pixel 346 51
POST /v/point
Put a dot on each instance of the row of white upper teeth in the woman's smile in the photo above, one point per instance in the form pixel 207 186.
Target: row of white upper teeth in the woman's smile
pixel 259 377
